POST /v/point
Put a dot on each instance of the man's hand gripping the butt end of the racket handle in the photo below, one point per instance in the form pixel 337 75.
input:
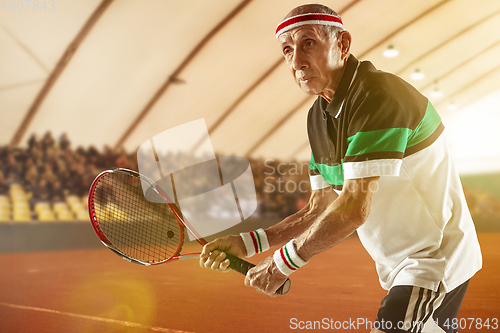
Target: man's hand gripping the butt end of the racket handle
pixel 265 277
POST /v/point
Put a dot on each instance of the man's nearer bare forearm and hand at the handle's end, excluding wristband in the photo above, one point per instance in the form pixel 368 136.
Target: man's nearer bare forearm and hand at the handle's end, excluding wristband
pixel 340 219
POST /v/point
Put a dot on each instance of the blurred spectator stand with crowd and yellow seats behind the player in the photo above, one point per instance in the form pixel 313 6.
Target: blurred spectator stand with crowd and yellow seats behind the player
pixel 48 181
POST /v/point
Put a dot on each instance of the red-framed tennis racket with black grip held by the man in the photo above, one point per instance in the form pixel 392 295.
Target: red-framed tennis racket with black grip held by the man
pixel 138 228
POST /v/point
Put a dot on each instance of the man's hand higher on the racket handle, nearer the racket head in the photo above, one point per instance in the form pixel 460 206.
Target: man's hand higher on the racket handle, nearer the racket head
pixel 213 253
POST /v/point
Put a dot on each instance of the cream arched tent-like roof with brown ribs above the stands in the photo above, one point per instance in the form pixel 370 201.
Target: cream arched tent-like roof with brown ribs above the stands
pixel 117 72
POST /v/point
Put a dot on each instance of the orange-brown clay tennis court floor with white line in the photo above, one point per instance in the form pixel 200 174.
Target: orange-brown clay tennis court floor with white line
pixel 93 290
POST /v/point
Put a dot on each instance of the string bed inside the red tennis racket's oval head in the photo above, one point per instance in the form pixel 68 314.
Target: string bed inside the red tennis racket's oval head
pixel 137 226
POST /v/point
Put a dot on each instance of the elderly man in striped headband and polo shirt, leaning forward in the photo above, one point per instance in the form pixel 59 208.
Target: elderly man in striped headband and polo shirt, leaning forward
pixel 380 145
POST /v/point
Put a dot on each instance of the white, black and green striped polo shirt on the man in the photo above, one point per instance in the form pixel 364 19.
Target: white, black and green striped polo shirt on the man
pixel 419 231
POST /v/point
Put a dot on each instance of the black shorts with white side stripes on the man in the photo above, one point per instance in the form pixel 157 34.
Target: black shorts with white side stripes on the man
pixel 419 310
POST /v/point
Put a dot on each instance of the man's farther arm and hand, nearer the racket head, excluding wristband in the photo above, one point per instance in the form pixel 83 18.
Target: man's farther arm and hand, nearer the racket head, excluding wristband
pixel 213 254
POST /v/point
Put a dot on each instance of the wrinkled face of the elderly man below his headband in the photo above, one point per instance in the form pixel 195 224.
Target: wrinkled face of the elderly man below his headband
pixel 314 59
